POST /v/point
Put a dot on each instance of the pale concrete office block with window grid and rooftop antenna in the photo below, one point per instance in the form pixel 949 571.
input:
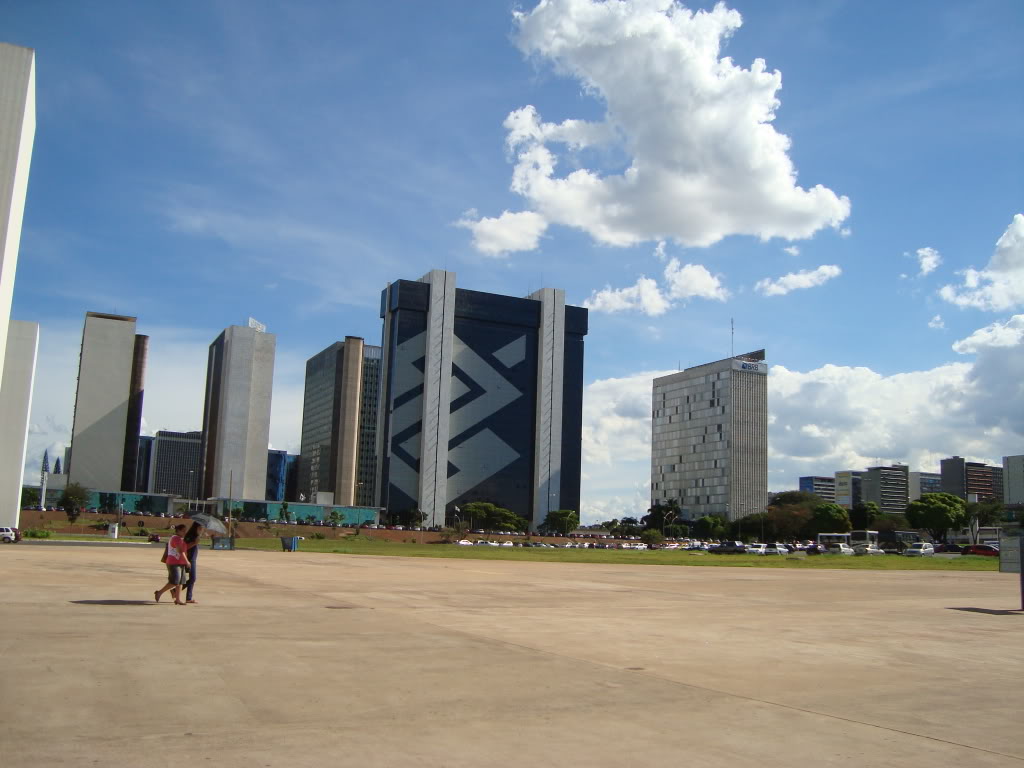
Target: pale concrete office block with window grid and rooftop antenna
pixel 710 438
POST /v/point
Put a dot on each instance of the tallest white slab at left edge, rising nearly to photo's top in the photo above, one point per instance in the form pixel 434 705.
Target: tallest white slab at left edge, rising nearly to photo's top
pixel 18 132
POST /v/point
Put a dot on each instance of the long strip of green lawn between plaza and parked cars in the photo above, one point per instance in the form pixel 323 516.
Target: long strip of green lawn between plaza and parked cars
pixel 366 546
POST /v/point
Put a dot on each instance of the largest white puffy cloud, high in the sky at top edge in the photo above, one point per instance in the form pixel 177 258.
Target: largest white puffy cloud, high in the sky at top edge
pixel 704 158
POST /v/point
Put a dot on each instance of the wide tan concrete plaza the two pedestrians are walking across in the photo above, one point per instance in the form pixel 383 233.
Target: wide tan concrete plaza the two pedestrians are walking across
pixel 311 660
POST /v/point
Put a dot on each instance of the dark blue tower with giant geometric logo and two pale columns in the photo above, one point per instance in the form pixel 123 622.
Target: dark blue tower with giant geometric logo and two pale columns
pixel 482 400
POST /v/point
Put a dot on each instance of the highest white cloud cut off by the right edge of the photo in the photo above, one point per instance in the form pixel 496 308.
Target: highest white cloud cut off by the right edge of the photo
pixel 1001 285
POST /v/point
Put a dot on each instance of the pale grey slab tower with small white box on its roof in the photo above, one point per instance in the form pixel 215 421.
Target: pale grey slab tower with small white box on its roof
pixel 237 414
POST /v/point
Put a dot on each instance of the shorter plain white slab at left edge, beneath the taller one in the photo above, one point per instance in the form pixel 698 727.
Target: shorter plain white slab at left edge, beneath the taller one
pixel 16 406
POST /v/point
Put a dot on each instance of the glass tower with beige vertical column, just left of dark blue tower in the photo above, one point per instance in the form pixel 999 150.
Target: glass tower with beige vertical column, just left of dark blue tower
pixel 337 461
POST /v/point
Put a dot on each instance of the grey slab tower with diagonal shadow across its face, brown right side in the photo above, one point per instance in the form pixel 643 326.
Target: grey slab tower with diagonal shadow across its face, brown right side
pixel 108 404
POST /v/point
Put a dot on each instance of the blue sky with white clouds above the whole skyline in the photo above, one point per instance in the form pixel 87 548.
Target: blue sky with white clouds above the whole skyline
pixel 844 180
